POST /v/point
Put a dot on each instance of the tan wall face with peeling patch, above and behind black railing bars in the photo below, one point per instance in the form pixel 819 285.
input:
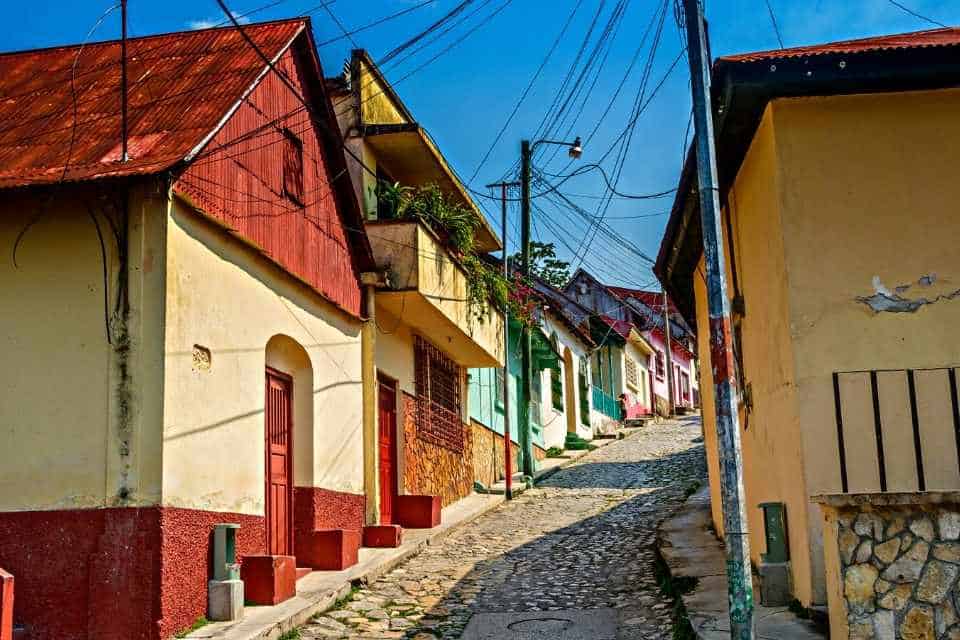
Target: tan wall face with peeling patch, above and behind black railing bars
pixel 866 192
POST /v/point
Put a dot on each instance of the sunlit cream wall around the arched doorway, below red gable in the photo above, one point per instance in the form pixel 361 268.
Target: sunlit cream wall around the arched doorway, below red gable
pixel 225 297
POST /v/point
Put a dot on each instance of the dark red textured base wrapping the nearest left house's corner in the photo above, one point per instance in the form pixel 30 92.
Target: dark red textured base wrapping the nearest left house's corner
pixel 72 565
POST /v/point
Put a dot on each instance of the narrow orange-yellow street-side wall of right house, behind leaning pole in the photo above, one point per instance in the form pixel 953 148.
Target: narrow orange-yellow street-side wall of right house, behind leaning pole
pixel 772 446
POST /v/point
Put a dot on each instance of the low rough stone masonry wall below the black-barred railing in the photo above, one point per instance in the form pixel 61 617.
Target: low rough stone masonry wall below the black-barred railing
pixel 899 567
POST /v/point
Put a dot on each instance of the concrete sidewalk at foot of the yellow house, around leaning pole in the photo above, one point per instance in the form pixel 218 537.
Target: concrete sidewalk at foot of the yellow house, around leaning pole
pixel 691 550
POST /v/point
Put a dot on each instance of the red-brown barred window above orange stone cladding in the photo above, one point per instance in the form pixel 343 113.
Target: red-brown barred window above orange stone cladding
pixel 438 397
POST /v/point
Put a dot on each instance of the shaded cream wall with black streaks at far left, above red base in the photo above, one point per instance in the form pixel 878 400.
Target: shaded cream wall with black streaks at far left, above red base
pixel 74 435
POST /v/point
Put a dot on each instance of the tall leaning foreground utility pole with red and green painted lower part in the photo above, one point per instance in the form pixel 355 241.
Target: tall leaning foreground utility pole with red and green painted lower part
pixel 737 543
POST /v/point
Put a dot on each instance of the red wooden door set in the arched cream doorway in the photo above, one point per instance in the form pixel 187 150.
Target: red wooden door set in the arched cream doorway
pixel 278 419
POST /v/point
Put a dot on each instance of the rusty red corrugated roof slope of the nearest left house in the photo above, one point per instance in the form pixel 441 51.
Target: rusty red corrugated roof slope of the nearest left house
pixel 181 85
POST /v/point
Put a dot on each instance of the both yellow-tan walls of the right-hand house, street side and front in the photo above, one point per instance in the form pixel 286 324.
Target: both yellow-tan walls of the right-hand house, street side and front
pixel 835 194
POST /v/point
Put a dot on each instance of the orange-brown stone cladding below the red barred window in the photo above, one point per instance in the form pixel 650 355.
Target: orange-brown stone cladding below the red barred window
pixel 433 470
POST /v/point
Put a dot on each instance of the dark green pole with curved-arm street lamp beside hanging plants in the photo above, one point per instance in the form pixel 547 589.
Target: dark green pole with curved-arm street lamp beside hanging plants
pixel 575 150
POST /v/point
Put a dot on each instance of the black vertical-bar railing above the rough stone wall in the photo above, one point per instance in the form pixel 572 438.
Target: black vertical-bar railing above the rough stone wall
pixel 909 420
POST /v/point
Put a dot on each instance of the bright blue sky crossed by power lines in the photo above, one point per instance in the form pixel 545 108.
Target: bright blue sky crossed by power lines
pixel 464 97
